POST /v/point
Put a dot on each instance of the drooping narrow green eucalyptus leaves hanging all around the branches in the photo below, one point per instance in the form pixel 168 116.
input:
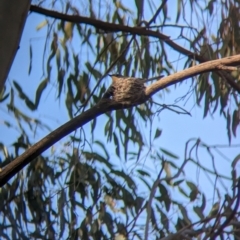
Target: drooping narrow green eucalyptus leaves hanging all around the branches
pixel 105 188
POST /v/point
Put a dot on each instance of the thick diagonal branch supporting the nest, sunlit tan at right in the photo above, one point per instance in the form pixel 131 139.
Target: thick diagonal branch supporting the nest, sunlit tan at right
pixel 106 105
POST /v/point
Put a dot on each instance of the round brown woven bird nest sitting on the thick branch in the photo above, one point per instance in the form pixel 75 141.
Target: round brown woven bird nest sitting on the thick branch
pixel 129 91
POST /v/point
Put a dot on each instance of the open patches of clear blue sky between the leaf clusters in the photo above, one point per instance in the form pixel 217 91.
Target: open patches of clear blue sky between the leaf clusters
pixel 177 129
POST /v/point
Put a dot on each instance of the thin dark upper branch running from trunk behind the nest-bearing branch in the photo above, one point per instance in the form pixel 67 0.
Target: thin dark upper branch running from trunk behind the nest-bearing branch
pixel 141 31
